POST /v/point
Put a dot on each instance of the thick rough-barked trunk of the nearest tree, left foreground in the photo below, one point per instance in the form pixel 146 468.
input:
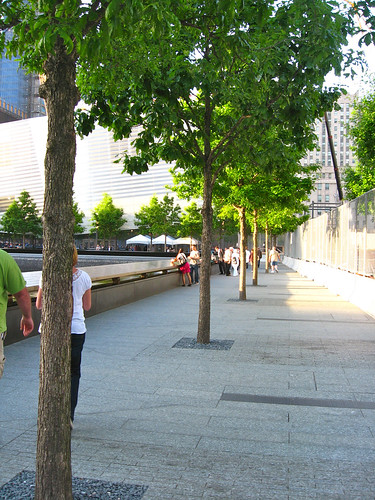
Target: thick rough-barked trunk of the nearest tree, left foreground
pixel 53 461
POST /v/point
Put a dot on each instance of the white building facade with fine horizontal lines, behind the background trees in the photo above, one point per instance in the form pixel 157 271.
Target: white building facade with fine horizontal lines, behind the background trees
pixel 22 151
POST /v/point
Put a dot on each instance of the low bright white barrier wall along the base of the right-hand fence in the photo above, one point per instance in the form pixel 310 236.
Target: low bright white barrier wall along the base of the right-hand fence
pixel 356 289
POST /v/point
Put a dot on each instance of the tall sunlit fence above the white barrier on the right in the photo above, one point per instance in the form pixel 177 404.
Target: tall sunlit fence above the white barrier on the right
pixel 343 239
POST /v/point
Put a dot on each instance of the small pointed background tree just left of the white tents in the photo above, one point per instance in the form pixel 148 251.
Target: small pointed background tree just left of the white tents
pixel 107 220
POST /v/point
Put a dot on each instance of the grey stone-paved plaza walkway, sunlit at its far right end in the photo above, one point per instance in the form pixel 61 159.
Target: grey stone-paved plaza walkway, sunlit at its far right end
pixel 281 406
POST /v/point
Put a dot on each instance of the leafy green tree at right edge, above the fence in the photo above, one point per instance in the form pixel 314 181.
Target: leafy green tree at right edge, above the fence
pixel 361 178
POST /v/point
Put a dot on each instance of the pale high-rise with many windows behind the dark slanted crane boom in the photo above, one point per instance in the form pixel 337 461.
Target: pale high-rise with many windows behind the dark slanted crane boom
pixel 325 194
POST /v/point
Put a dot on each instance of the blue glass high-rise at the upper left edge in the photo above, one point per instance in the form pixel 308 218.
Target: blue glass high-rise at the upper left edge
pixel 19 92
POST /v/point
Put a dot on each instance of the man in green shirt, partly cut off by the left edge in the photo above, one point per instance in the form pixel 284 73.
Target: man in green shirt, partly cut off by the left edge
pixel 12 281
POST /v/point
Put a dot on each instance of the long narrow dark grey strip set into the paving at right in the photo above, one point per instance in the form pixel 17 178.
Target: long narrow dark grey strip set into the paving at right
pixel 297 401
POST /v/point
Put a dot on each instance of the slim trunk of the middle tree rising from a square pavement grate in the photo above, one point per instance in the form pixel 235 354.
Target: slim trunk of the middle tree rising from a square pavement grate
pixel 204 317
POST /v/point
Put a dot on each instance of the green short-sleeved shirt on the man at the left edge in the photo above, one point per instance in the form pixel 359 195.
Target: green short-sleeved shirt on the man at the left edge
pixel 11 281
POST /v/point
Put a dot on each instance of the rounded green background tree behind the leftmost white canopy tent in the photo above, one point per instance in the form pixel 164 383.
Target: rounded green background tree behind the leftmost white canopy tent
pixel 159 217
